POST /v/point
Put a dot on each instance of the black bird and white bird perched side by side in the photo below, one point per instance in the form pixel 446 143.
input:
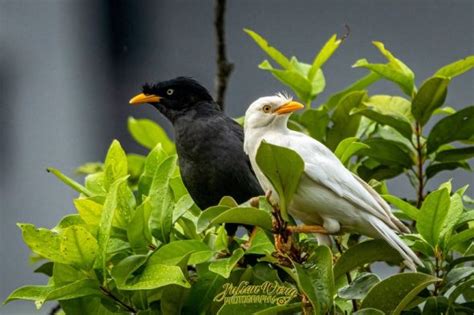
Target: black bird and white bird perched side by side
pixel 217 160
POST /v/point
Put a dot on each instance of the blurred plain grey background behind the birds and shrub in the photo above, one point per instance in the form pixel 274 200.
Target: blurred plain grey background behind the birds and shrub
pixel 68 69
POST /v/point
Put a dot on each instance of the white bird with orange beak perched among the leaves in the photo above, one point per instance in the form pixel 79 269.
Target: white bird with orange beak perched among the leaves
pixel 328 194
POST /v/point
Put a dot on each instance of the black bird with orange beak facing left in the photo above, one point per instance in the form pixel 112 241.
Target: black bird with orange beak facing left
pixel 209 143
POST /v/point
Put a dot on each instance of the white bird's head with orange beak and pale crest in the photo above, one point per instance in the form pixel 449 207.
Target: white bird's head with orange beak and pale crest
pixel 270 110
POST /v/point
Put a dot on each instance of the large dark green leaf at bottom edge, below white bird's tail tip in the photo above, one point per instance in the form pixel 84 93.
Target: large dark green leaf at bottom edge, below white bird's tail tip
pixel 393 294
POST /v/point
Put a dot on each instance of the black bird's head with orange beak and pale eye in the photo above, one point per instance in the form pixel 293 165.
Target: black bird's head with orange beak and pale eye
pixel 173 96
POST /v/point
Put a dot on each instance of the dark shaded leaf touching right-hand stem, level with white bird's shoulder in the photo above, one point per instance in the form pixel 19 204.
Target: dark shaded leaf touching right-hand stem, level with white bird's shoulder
pixel 387 152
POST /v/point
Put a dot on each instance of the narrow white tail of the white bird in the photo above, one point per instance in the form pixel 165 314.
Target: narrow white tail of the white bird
pixel 396 242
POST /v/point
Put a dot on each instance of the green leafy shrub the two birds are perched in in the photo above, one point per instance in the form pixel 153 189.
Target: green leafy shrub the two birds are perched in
pixel 139 244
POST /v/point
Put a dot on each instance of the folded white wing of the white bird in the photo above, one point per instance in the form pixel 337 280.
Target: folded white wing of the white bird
pixel 325 169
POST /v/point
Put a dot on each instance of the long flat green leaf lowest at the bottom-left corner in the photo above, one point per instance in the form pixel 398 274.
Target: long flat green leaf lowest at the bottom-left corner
pixel 42 293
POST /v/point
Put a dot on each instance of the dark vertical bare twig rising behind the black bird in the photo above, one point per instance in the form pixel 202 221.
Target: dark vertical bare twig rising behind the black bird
pixel 224 67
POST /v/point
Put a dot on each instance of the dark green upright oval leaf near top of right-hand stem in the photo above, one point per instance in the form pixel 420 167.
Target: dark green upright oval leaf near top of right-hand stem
pixel 430 97
